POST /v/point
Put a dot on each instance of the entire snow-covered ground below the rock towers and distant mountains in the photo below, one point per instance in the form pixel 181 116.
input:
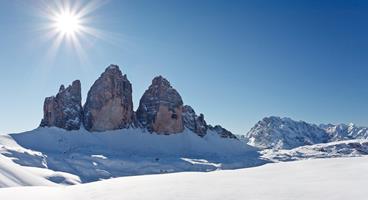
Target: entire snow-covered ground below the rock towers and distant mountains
pixel 182 166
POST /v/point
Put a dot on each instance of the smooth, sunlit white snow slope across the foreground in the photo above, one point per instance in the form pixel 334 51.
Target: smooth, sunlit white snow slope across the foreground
pixel 319 179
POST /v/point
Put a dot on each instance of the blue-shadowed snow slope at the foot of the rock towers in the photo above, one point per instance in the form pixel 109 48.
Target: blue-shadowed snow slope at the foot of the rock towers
pixel 70 157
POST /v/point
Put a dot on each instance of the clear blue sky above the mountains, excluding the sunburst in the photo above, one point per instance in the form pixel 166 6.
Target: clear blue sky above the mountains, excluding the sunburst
pixel 234 61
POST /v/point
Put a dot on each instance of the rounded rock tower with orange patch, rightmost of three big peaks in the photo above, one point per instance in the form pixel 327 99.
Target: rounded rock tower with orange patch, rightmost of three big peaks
pixel 160 108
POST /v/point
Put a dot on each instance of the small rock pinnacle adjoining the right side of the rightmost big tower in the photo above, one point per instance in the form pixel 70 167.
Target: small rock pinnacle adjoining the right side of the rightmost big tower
pixel 193 122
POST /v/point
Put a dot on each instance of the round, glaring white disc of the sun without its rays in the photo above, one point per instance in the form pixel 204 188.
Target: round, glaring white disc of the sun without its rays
pixel 67 23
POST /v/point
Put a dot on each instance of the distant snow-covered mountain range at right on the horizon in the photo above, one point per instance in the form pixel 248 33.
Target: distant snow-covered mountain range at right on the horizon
pixel 285 133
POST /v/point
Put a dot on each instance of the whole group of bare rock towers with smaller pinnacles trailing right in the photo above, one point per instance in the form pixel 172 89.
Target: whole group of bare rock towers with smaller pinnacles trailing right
pixel 109 106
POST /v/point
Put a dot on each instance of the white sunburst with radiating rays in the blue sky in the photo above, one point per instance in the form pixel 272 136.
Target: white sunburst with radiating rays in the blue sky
pixel 70 23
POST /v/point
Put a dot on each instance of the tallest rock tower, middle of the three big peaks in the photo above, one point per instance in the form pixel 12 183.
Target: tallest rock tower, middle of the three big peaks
pixel 109 104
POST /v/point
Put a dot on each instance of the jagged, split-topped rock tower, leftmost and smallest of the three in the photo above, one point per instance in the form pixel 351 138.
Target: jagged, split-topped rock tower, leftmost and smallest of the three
pixel 64 110
